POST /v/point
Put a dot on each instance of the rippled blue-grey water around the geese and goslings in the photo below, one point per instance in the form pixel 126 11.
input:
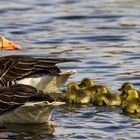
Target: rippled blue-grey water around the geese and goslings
pixel 103 34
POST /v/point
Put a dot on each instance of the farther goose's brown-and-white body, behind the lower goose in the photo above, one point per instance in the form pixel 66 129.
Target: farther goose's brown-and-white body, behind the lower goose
pixel 41 73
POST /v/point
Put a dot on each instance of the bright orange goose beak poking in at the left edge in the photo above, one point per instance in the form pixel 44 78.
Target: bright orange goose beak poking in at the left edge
pixel 8 45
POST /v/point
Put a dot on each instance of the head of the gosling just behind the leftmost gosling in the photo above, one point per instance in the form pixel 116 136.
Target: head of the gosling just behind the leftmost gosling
pixel 86 82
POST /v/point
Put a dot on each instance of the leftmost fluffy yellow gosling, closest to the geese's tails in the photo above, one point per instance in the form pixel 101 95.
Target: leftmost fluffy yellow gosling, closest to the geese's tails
pixel 77 95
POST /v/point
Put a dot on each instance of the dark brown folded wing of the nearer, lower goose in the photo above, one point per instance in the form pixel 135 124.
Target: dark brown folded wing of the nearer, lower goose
pixel 16 95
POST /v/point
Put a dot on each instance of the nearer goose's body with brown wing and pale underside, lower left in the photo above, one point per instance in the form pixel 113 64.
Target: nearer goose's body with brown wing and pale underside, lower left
pixel 25 104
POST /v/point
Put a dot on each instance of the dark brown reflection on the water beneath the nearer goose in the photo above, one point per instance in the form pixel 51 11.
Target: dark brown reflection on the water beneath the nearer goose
pixel 25 131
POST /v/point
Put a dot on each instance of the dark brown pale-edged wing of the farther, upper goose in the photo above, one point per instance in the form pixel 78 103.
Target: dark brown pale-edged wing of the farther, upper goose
pixel 16 67
